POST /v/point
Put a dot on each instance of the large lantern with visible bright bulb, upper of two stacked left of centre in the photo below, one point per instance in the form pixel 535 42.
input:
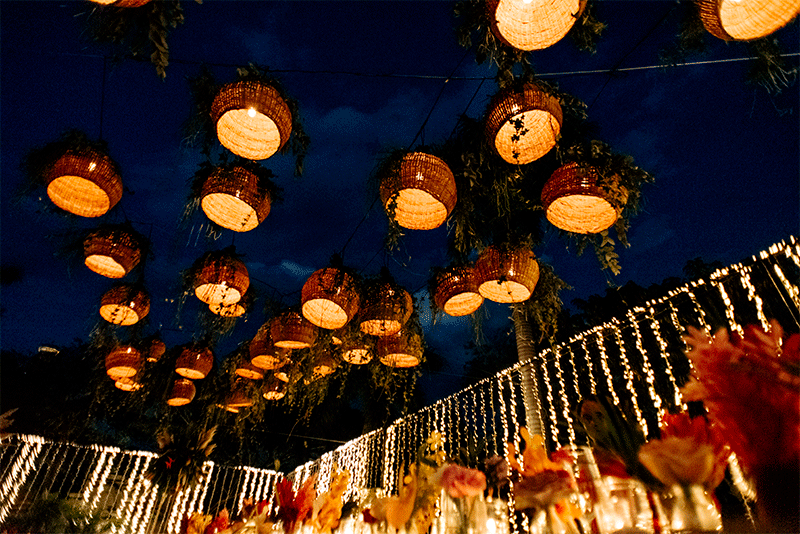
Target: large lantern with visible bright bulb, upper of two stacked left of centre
pixel 252 119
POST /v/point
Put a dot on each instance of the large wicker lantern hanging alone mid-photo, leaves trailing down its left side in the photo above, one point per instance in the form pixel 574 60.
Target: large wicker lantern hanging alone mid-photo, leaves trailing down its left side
pixel 423 191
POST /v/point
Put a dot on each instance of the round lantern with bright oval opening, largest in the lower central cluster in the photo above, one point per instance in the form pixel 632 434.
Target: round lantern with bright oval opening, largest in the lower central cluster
pixel 330 298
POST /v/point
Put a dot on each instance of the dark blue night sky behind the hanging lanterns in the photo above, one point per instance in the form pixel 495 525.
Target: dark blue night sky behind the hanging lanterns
pixel 724 154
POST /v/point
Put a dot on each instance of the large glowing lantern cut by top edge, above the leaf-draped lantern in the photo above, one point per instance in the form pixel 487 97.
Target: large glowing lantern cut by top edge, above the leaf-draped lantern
pixel 532 24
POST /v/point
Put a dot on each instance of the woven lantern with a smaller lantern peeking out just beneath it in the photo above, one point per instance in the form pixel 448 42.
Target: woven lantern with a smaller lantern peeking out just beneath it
pixel 220 278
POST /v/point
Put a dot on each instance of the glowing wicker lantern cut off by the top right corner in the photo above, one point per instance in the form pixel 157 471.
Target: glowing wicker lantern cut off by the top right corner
pixel 737 20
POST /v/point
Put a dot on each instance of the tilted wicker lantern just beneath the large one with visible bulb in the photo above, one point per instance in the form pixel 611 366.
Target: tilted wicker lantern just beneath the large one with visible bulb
pixel 232 198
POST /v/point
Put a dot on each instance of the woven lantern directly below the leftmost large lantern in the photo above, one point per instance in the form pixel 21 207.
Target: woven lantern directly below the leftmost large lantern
pixel 112 252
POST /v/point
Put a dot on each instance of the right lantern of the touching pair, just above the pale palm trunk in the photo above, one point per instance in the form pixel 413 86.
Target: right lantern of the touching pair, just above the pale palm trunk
pixel 506 276
